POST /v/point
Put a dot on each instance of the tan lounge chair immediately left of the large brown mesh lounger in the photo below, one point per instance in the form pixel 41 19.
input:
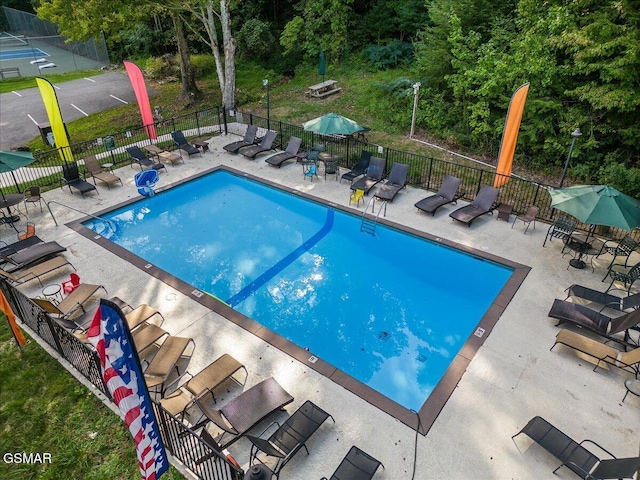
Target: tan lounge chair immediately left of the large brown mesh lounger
pixel 203 382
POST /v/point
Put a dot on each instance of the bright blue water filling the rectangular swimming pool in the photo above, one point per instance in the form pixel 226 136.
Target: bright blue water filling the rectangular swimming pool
pixel 391 310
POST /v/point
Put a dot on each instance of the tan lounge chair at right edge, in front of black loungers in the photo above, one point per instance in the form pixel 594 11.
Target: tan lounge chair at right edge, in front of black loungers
pixel 600 354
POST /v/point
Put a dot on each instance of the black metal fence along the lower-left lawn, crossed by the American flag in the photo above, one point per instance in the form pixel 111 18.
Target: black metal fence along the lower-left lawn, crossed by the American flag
pixel 202 459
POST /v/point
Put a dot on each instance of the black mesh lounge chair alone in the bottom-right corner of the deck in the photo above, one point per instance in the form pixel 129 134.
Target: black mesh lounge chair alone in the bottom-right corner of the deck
pixel 575 456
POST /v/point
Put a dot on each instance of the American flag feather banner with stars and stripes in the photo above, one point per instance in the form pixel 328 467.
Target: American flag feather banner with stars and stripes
pixel 122 375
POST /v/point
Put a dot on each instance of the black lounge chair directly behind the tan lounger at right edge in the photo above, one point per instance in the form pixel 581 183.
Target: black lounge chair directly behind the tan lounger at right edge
pixel 595 321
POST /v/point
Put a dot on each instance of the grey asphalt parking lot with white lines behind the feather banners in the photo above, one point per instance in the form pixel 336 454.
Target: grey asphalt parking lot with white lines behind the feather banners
pixel 22 111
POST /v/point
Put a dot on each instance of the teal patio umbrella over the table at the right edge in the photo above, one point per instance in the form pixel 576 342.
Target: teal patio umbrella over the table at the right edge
pixel 598 205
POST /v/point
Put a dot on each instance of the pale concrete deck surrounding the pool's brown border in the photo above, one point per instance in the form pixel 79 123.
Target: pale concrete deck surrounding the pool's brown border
pixel 512 377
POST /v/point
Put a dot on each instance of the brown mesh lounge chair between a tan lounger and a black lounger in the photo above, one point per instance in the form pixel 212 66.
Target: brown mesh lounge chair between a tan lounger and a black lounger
pixel 242 413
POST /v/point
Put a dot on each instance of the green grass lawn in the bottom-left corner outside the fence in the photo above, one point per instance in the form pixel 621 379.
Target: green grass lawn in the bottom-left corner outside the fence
pixel 44 409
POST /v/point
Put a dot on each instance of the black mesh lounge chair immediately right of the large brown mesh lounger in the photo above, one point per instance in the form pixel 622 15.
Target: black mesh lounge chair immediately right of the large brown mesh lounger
pixel 290 437
